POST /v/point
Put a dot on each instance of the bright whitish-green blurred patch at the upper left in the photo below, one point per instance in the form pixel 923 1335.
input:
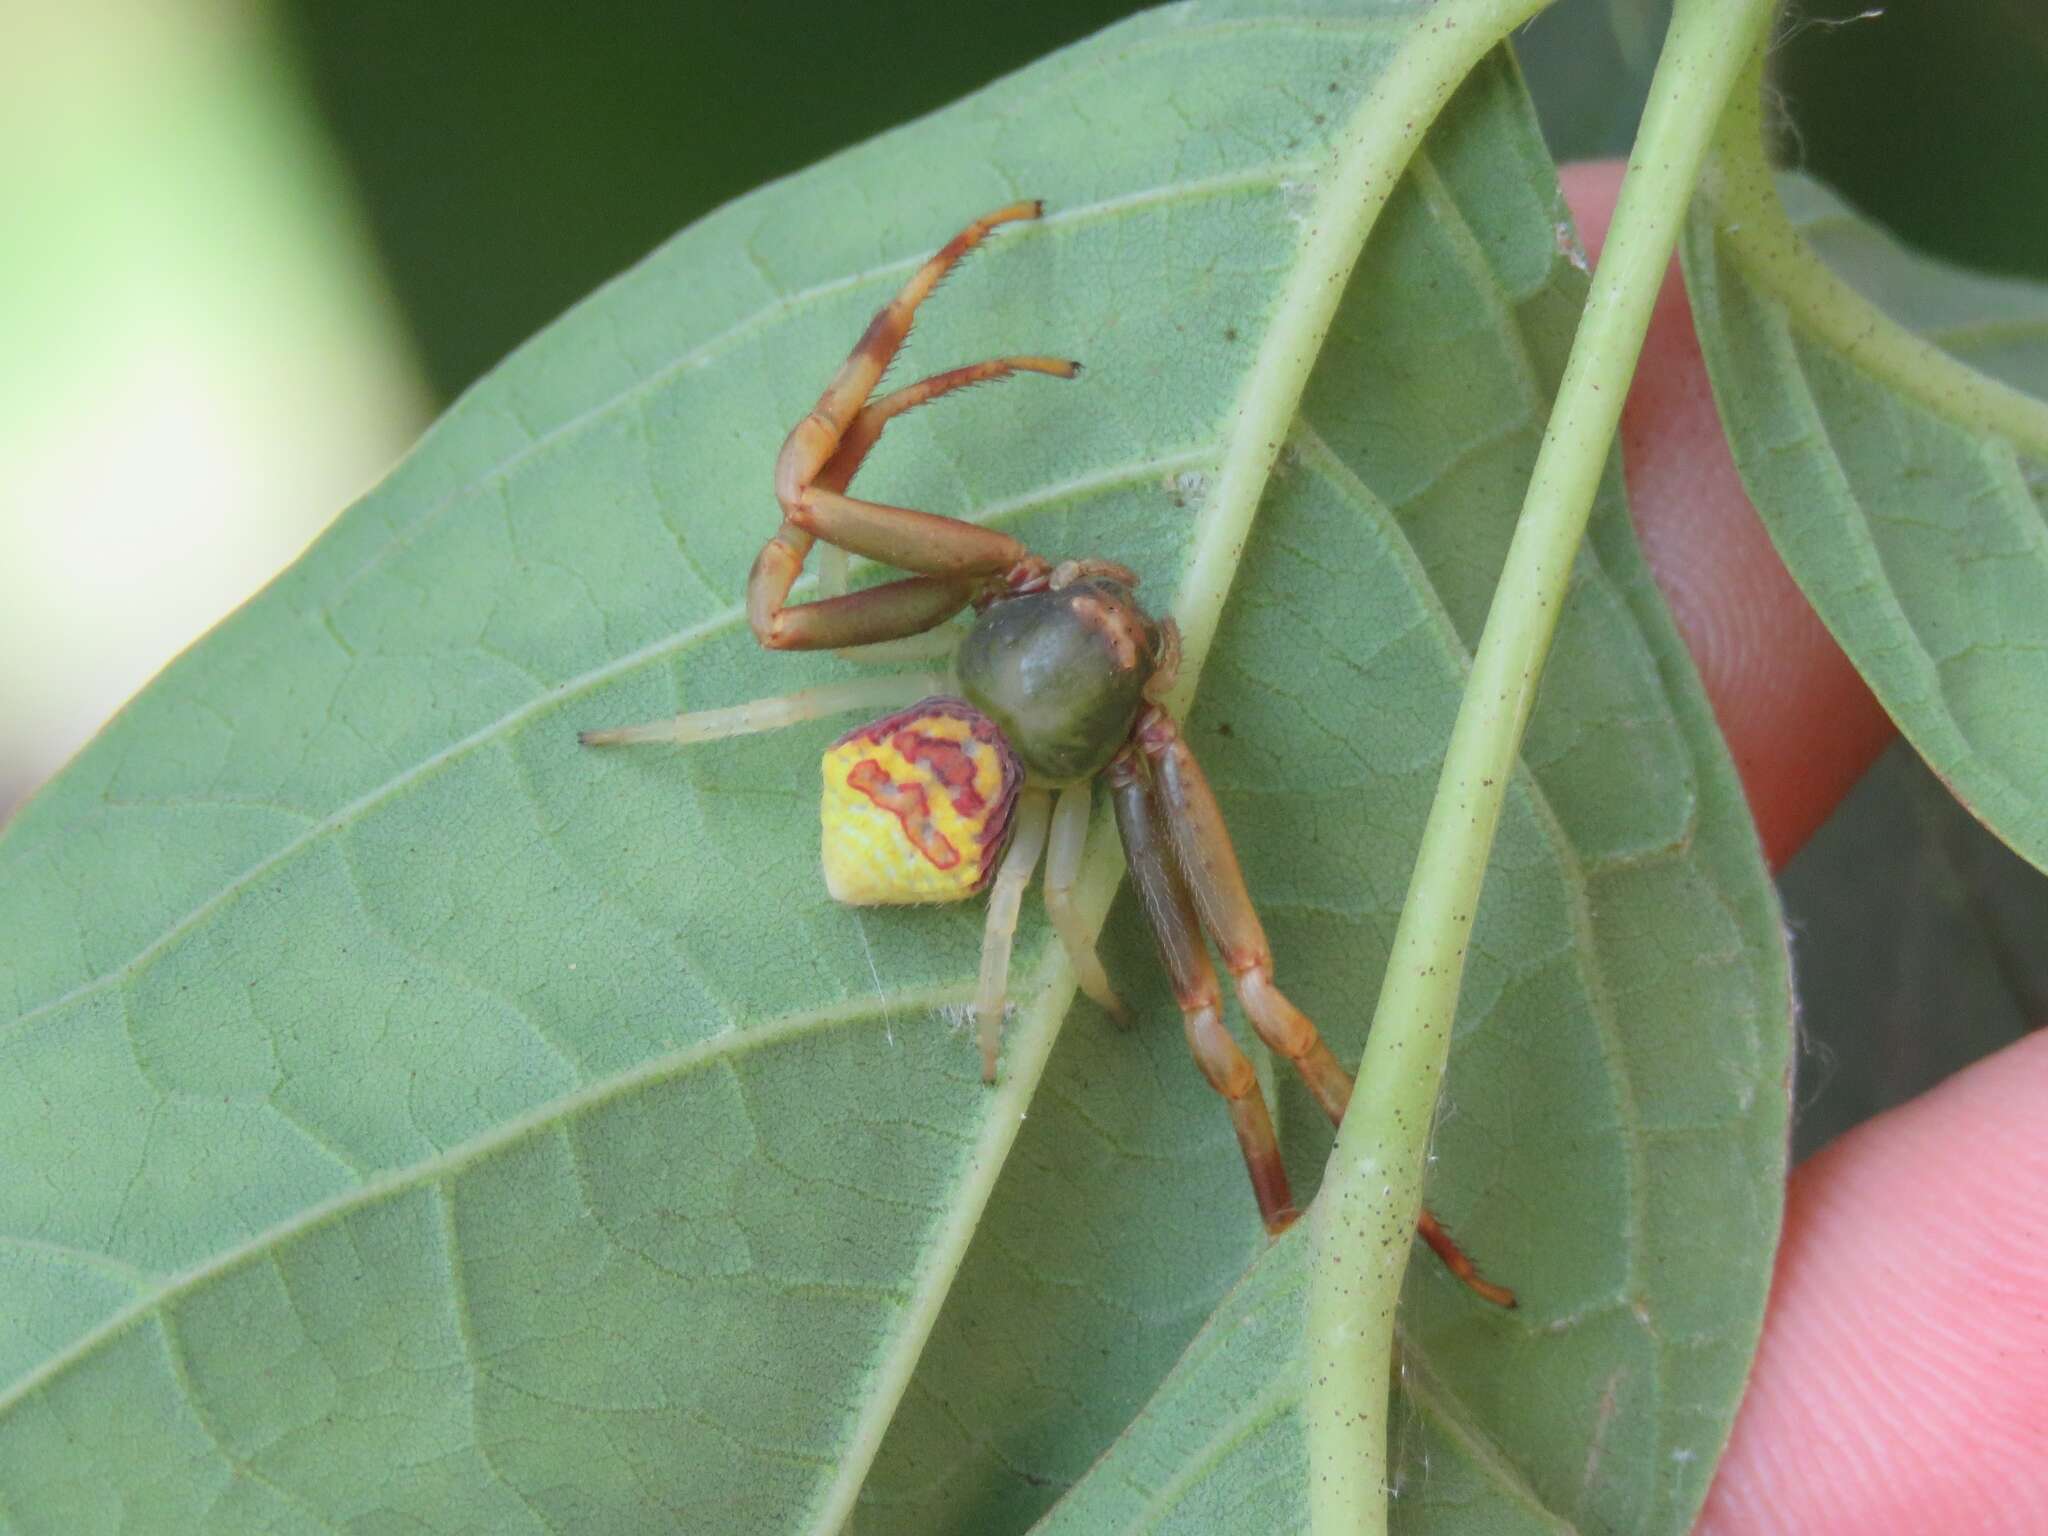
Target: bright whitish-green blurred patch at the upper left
pixel 200 364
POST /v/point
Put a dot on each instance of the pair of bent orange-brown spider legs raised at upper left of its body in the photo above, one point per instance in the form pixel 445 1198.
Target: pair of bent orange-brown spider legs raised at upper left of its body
pixel 951 556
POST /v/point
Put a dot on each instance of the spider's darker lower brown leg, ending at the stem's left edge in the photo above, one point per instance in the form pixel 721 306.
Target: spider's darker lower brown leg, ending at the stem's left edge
pixel 1195 988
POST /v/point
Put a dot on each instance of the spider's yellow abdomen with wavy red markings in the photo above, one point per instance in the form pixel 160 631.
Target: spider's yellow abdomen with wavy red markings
pixel 916 806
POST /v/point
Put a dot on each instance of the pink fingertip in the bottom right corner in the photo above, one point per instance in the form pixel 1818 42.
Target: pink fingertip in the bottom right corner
pixel 1904 1379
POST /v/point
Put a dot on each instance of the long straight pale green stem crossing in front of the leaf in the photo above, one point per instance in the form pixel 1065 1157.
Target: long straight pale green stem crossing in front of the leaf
pixel 1365 1218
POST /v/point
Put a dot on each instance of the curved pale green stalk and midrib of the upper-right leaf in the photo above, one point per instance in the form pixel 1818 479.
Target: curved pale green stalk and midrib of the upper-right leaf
pixel 1742 194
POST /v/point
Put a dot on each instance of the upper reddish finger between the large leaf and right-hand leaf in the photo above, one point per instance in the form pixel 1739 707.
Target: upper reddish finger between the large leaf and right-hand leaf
pixel 1799 720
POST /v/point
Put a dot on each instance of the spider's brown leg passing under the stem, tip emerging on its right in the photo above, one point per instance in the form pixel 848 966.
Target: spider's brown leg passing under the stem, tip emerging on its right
pixel 1205 853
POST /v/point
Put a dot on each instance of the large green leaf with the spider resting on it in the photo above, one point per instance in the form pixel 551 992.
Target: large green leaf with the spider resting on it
pixel 415 1121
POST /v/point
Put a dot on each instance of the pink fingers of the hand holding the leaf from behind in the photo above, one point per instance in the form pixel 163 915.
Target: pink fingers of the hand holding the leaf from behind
pixel 1904 1375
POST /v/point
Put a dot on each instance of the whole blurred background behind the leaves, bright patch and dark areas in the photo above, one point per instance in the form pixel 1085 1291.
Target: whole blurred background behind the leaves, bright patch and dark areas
pixel 253 249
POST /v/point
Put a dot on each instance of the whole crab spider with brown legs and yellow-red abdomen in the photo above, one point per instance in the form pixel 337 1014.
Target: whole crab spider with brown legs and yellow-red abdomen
pixel 1058 681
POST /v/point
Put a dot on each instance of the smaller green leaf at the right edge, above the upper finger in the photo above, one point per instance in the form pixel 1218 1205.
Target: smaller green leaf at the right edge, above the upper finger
pixel 1904 486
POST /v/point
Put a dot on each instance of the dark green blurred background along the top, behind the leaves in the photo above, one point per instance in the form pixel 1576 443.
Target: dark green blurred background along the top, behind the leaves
pixel 513 157
